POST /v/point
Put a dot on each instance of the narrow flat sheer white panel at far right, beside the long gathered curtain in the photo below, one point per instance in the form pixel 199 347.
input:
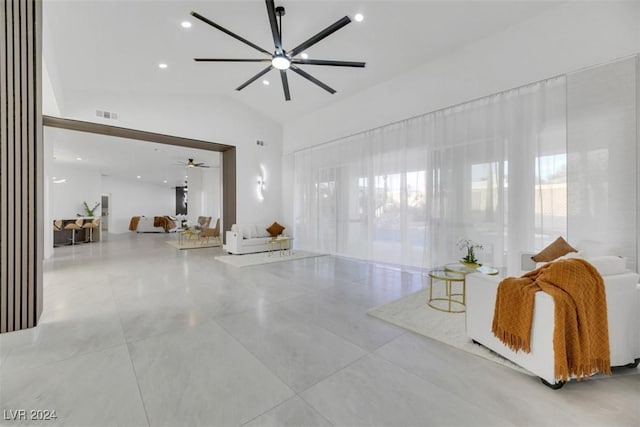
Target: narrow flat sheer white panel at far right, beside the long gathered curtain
pixel 604 180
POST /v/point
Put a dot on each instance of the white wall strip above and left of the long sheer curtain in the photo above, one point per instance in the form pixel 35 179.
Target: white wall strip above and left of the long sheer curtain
pixel 567 38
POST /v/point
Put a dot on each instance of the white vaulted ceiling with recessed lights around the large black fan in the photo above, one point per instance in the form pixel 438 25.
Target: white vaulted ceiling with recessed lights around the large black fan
pixel 114 47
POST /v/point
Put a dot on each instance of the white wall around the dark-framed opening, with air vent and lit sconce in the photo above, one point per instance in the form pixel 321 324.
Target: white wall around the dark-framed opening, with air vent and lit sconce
pixel 216 119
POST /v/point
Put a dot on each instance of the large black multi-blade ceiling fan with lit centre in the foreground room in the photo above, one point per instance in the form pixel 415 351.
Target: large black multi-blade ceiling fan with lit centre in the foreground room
pixel 282 59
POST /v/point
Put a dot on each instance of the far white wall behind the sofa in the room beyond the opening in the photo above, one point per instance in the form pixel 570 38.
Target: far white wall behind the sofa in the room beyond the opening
pixel 133 198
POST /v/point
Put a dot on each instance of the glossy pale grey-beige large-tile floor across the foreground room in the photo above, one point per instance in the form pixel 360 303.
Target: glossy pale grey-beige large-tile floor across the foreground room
pixel 135 332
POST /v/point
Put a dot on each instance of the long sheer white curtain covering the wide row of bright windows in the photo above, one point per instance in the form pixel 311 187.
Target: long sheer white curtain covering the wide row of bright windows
pixel 492 170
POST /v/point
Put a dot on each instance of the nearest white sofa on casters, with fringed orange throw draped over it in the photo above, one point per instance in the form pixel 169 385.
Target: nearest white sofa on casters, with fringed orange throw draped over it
pixel 623 307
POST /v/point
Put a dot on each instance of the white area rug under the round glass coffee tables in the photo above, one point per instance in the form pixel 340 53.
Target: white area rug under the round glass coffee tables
pixel 413 313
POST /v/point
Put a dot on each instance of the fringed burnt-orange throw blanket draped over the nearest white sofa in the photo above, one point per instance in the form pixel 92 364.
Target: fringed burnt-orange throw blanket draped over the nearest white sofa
pixel 581 333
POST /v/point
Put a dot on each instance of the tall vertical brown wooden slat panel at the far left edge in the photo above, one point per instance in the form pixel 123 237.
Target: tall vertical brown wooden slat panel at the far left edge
pixel 21 165
